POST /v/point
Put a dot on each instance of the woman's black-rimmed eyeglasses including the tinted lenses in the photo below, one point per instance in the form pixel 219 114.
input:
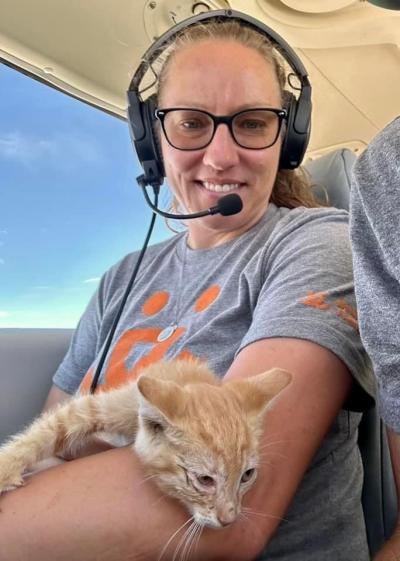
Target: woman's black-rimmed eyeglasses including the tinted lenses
pixel 193 129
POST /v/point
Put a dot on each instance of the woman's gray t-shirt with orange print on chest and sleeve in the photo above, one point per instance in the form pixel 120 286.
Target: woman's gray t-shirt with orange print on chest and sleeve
pixel 289 276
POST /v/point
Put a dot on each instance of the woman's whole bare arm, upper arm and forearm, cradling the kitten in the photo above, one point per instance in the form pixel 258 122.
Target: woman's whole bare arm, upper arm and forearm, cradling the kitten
pixel 100 507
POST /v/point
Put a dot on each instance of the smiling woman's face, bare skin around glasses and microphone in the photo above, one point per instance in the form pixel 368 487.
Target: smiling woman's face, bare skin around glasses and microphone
pixel 221 77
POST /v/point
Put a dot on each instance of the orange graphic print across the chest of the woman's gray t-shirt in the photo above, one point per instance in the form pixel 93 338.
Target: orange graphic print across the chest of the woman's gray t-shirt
pixel 118 372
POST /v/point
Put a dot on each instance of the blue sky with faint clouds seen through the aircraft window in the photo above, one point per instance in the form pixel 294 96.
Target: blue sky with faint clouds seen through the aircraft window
pixel 69 203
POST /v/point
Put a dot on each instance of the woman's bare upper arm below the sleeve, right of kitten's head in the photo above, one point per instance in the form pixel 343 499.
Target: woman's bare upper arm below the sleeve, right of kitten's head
pixel 321 383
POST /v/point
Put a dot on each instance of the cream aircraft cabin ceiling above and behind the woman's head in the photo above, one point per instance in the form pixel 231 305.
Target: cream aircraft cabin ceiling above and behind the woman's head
pixel 90 48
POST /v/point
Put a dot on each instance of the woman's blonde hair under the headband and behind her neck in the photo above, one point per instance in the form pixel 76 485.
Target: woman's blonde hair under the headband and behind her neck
pixel 292 188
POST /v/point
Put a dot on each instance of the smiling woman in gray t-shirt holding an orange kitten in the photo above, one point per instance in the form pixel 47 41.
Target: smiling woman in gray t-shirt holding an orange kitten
pixel 270 286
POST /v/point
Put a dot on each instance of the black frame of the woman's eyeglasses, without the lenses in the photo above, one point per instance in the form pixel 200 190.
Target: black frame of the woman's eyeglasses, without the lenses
pixel 217 120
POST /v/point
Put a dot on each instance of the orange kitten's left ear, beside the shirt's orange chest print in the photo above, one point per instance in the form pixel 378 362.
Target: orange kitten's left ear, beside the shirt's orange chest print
pixel 160 400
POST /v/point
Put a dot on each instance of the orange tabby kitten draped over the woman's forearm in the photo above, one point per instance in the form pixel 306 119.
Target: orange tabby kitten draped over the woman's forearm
pixel 197 436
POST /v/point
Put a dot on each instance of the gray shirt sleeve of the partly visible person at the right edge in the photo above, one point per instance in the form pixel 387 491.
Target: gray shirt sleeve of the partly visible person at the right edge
pixel 375 236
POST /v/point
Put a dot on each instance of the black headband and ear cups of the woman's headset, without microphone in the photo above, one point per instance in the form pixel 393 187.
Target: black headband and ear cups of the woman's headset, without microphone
pixel 142 119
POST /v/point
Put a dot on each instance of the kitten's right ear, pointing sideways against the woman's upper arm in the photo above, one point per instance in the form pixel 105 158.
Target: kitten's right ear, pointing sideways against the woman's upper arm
pixel 257 392
